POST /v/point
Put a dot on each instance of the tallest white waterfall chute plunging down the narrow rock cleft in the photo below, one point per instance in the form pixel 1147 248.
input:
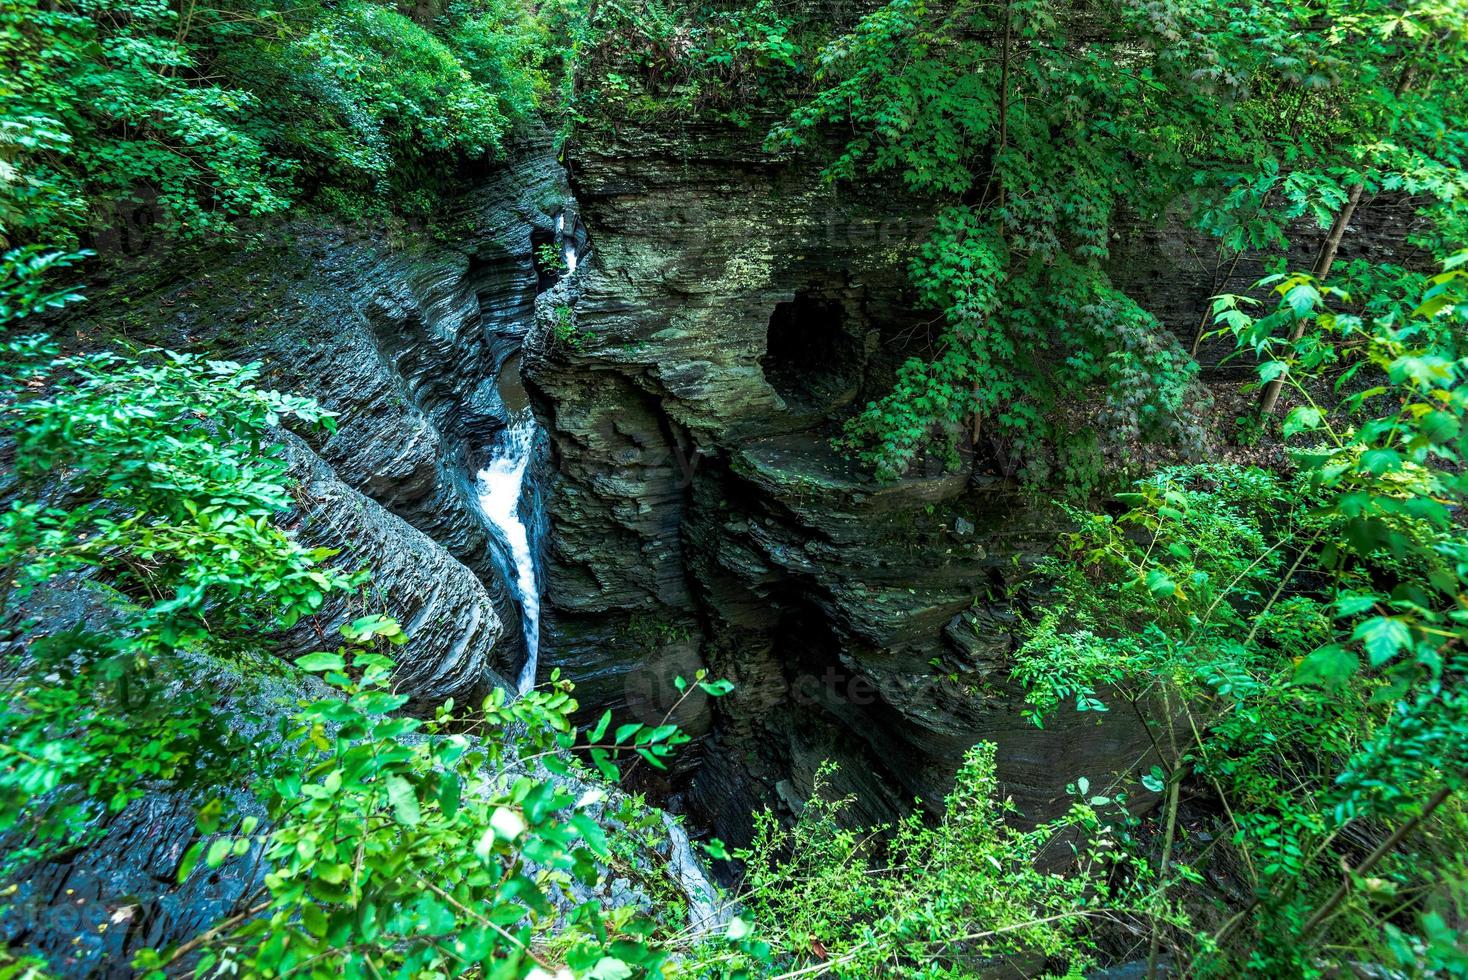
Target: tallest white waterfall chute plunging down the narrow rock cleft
pixel 500 486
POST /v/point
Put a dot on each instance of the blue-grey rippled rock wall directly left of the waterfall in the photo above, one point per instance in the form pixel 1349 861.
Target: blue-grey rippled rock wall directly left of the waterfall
pixel 403 335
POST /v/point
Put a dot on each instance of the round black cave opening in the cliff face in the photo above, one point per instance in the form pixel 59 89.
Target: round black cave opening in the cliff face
pixel 814 360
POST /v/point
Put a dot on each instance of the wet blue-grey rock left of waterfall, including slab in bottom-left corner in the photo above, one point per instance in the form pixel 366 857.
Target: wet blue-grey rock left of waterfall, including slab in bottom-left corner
pixel 403 337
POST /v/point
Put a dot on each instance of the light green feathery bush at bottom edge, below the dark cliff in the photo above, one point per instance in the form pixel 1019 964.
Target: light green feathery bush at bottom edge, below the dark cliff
pixel 946 900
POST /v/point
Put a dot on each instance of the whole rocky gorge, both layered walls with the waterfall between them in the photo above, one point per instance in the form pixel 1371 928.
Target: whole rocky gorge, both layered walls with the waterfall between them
pixel 683 492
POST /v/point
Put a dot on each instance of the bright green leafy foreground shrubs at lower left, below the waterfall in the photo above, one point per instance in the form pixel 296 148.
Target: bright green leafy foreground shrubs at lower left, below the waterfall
pixel 167 524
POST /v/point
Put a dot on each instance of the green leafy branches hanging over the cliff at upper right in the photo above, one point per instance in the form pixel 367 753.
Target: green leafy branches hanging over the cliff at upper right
pixel 1037 124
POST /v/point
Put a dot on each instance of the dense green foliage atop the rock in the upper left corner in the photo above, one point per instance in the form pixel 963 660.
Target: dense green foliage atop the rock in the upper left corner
pixel 206 115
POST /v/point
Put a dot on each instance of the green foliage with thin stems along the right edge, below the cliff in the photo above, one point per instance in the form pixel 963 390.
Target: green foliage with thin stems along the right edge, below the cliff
pixel 1296 640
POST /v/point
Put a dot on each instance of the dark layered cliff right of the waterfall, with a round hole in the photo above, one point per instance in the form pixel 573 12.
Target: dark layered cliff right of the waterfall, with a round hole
pixel 735 309
